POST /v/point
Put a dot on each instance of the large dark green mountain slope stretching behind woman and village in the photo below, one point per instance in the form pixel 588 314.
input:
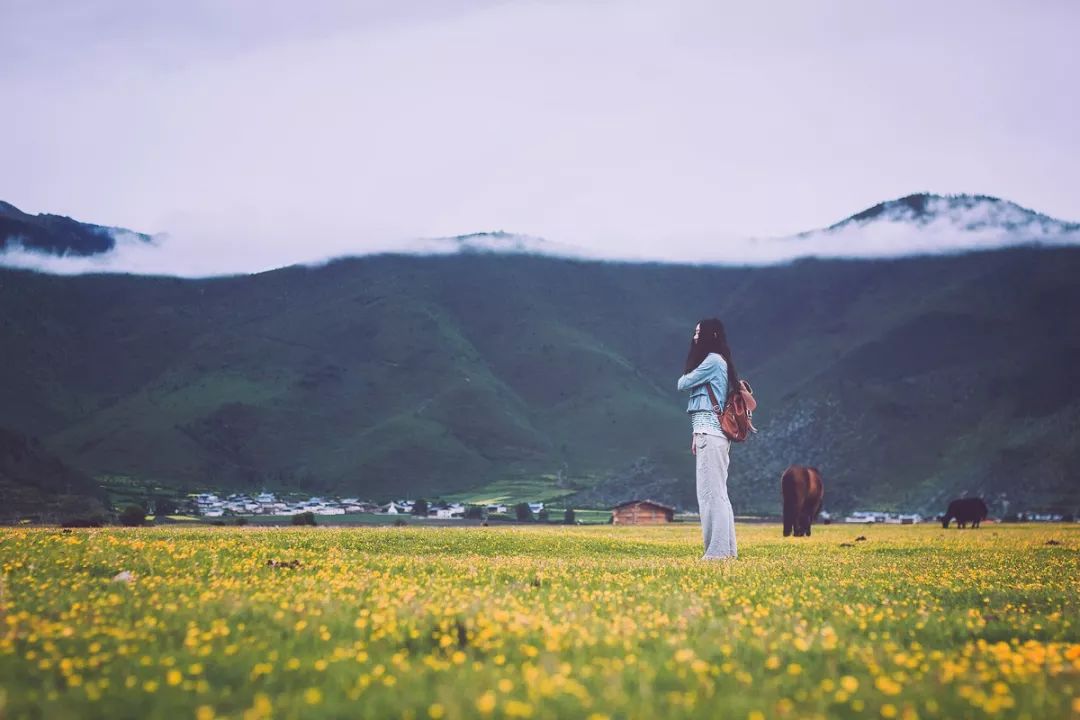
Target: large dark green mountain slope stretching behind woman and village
pixel 907 382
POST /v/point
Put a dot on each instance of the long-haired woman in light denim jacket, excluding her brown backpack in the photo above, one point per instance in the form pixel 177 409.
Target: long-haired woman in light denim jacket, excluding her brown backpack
pixel 709 363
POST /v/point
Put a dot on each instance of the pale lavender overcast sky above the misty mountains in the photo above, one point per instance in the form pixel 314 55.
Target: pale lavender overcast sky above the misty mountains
pixel 281 132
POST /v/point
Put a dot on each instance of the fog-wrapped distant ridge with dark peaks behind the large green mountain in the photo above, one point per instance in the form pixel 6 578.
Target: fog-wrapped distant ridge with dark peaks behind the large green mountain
pixel 921 224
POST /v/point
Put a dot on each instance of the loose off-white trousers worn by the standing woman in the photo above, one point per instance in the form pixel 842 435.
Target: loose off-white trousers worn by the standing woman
pixel 718 519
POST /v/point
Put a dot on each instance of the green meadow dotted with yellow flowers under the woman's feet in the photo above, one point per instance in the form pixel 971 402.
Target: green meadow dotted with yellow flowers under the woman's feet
pixel 539 622
